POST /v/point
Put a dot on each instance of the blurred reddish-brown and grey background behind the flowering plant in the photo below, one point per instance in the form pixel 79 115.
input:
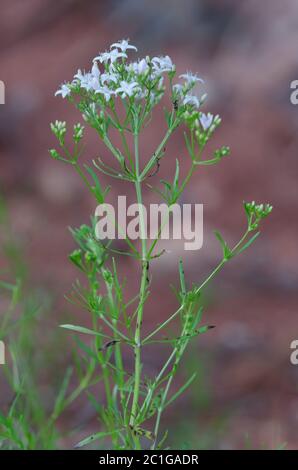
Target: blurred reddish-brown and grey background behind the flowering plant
pixel 246 392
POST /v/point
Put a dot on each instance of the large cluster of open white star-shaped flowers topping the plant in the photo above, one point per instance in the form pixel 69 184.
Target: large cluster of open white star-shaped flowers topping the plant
pixel 112 76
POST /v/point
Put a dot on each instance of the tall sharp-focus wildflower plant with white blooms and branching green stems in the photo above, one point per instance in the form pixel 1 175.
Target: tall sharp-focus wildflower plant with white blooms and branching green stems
pixel 120 95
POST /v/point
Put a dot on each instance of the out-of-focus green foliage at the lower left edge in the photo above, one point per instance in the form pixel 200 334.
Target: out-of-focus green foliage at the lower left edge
pixel 26 418
